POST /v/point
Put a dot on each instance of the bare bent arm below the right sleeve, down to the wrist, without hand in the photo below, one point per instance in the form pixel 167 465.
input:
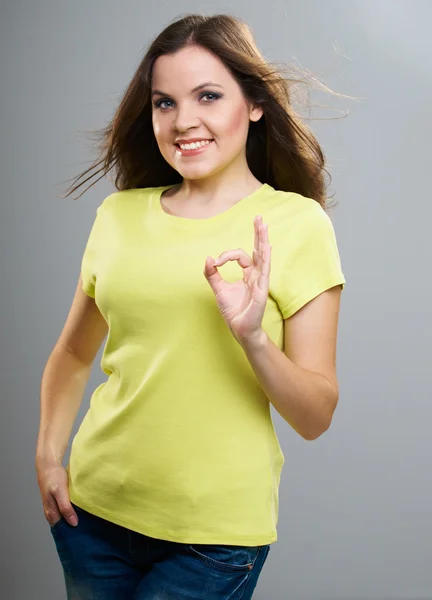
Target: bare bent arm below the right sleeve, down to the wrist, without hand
pixel 301 382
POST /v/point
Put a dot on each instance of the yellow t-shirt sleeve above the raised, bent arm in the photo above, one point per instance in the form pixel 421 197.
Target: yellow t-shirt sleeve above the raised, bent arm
pixel 311 264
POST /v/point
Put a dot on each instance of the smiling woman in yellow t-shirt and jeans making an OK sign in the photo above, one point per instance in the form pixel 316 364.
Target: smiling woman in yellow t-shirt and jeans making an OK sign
pixel 171 490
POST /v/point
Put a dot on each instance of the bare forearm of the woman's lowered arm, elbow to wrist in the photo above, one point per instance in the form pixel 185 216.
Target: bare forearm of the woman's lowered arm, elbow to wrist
pixel 62 388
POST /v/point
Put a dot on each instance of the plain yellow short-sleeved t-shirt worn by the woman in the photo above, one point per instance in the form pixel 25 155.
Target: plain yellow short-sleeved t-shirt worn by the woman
pixel 178 443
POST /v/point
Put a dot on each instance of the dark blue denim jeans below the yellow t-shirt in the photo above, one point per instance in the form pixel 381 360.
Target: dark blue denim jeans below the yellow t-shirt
pixel 104 561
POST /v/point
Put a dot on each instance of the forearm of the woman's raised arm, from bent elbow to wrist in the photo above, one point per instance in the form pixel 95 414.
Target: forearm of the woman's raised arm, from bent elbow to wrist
pixel 306 400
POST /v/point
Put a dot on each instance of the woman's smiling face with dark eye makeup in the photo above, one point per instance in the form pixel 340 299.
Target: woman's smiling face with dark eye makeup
pixel 217 112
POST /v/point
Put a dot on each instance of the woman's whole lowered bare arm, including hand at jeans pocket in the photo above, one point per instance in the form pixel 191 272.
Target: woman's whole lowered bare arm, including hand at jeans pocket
pixel 62 388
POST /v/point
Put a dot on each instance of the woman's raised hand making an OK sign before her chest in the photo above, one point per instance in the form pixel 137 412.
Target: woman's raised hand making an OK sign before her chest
pixel 242 303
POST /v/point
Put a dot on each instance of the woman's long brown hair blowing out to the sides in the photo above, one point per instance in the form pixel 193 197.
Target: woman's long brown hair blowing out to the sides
pixel 280 149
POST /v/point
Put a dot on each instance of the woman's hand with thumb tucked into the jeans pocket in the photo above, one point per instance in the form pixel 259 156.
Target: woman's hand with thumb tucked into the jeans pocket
pixel 53 486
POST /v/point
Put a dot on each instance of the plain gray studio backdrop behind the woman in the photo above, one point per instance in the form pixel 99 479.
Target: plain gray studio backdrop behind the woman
pixel 355 504
